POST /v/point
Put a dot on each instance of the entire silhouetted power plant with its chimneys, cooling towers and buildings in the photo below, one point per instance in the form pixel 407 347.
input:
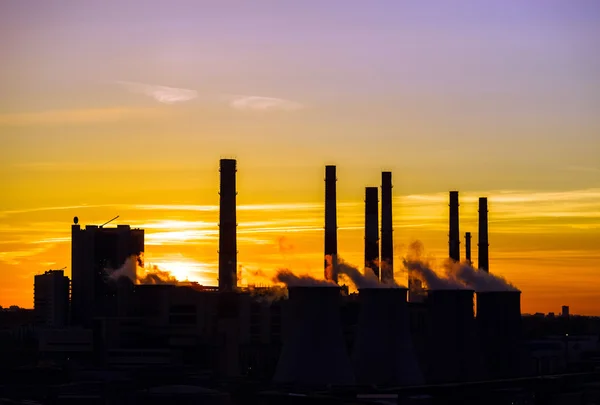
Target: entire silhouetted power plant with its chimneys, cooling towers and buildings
pixel 312 337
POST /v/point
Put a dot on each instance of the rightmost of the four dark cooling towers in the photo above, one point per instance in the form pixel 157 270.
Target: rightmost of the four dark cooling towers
pixel 500 332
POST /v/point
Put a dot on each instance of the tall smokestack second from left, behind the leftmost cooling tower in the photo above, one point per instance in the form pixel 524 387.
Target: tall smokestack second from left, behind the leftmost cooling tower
pixel 330 223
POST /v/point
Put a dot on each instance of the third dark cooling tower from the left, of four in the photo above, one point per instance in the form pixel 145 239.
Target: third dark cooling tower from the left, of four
pixel 452 346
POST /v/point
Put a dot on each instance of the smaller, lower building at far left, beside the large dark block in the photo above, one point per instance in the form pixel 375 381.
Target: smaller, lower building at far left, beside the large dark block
pixel 51 299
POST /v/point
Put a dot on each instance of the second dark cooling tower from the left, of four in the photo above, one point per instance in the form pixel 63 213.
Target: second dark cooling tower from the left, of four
pixel 383 351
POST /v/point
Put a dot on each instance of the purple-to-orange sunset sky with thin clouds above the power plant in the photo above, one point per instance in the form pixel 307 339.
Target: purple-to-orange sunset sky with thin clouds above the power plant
pixel 125 108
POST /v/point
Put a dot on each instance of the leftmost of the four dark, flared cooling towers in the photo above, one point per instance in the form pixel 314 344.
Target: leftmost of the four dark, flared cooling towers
pixel 313 351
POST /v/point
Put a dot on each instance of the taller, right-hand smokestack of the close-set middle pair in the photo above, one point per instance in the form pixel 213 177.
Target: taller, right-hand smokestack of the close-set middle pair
pixel 387 241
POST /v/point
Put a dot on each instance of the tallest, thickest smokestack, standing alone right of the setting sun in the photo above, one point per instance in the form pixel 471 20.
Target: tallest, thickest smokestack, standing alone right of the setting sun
pixel 227 227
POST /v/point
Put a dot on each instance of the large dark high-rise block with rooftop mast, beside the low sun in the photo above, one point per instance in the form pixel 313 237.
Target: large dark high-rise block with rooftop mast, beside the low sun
pixel 94 250
